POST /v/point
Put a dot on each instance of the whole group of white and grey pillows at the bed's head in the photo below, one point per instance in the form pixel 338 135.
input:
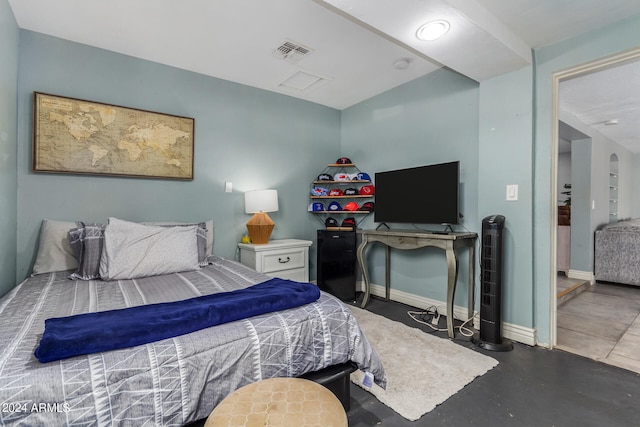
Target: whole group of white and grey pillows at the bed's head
pixel 121 249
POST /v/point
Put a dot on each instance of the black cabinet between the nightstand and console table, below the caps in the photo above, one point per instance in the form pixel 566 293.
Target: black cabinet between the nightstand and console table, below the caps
pixel 337 263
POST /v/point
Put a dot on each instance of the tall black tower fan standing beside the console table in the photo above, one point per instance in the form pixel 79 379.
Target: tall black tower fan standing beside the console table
pixel 491 287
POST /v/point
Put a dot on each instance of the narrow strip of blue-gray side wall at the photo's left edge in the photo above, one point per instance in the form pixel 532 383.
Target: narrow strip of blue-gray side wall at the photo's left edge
pixel 8 81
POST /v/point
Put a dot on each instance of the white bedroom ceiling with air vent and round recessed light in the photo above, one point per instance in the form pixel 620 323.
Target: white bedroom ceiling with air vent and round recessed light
pixel 331 52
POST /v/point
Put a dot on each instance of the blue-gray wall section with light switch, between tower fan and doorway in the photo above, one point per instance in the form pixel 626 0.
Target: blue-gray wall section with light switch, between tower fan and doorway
pixel 506 148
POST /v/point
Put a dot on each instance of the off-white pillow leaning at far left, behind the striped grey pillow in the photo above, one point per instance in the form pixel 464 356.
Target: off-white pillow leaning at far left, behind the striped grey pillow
pixel 54 249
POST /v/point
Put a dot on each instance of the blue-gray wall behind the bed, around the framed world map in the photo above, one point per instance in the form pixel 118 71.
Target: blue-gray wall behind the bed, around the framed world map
pixel 253 138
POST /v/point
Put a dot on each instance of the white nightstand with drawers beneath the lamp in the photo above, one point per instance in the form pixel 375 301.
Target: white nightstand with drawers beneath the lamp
pixel 286 258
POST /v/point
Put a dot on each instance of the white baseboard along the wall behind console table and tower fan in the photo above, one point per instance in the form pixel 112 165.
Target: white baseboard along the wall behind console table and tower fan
pixel 510 331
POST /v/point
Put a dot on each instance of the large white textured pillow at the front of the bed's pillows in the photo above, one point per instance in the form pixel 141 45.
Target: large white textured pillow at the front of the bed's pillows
pixel 133 250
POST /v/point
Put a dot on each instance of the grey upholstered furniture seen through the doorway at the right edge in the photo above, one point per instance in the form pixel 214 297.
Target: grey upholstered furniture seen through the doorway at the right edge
pixel 617 252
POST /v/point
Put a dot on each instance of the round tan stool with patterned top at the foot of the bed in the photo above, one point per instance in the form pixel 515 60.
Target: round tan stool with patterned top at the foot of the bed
pixel 283 402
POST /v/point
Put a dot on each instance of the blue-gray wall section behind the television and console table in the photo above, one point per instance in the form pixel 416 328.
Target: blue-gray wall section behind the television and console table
pixel 433 119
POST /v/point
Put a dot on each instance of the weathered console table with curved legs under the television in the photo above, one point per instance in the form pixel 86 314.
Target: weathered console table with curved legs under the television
pixel 410 239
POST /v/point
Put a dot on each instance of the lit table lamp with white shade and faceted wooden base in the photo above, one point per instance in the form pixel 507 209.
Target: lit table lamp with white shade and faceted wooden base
pixel 259 202
